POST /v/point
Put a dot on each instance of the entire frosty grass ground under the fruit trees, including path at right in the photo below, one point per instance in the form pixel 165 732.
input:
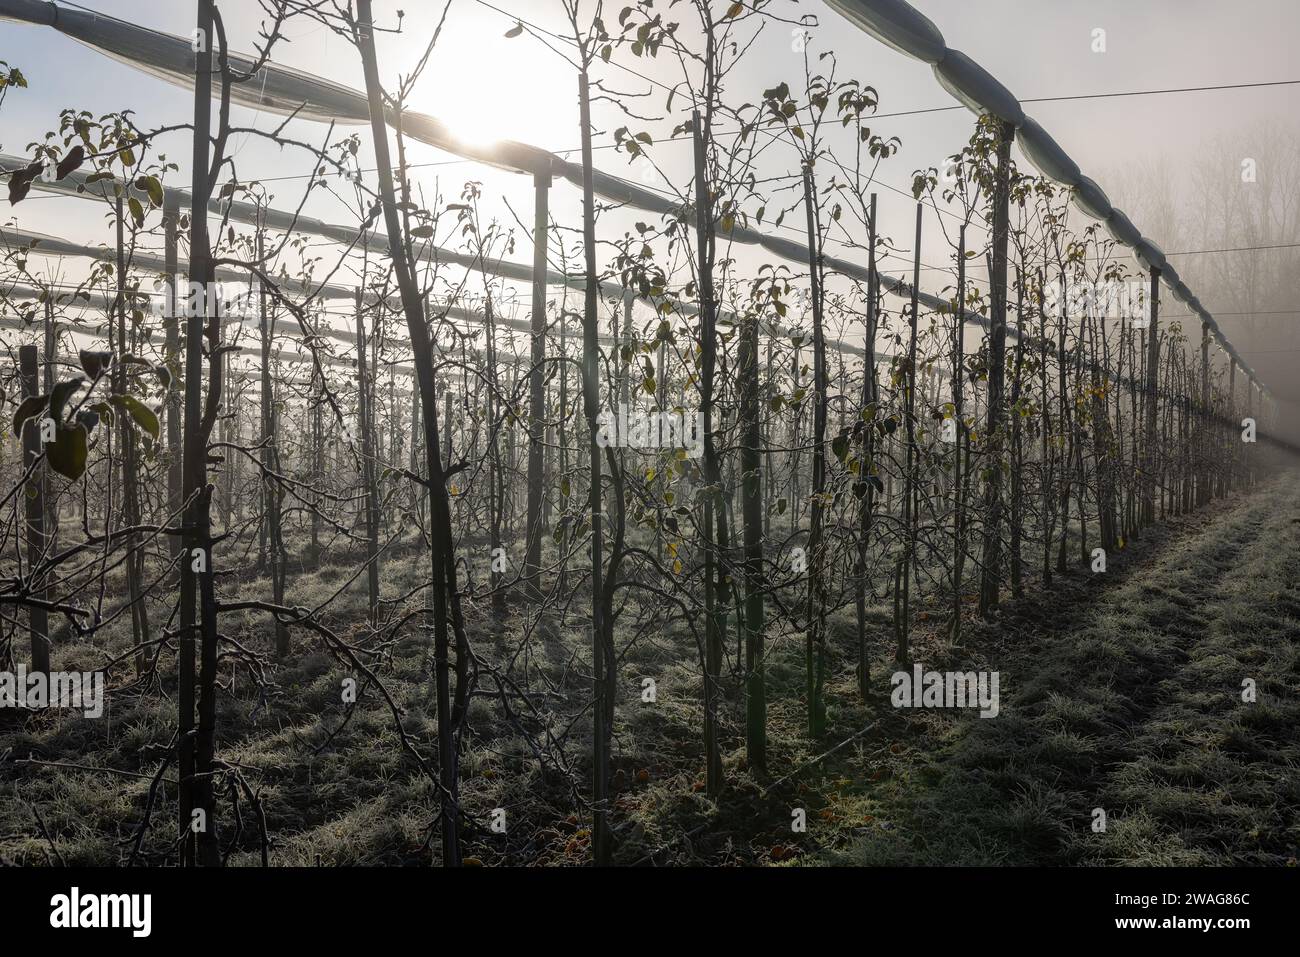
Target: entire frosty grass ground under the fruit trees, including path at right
pixel 1120 691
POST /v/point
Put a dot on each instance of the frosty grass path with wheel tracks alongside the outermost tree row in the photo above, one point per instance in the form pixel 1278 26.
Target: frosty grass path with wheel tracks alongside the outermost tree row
pixel 1137 709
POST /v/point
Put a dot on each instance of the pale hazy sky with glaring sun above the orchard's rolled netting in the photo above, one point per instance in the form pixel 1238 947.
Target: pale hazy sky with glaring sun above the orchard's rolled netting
pixel 488 85
